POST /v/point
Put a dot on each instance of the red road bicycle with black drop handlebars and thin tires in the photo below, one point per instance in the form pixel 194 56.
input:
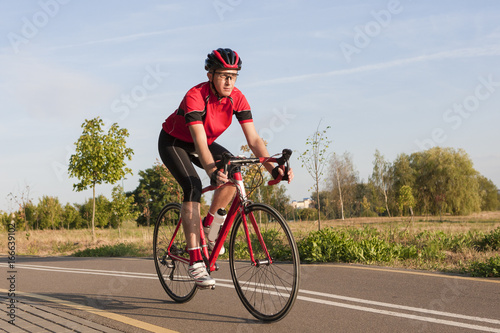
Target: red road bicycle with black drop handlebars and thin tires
pixel 263 256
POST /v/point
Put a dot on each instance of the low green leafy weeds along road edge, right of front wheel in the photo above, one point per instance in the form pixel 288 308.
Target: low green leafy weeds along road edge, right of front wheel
pixel 369 245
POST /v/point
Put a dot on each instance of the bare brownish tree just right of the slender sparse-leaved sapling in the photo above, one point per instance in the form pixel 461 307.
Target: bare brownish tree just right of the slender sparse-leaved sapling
pixel 343 179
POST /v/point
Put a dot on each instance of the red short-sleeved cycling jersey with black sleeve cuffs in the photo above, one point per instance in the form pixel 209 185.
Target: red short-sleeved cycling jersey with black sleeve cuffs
pixel 201 106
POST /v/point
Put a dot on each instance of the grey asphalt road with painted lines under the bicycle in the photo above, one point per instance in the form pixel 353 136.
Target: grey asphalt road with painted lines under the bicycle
pixel 125 294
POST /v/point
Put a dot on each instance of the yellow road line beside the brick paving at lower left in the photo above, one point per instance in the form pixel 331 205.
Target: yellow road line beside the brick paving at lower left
pixel 99 312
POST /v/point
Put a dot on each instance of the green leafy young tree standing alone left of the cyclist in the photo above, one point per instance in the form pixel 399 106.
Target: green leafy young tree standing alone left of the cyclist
pixel 99 158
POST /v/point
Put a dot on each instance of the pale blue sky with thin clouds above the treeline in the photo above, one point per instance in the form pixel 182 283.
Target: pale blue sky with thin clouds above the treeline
pixel 397 76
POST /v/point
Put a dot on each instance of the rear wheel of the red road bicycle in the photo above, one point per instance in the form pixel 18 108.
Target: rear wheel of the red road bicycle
pixel 173 274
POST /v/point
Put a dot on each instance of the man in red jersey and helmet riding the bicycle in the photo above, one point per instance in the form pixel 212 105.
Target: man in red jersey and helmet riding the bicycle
pixel 188 137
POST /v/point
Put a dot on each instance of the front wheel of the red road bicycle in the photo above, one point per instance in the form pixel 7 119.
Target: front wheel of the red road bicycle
pixel 267 290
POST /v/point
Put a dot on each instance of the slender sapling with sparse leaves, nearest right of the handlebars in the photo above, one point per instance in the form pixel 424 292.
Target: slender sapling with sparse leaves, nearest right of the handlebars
pixel 314 158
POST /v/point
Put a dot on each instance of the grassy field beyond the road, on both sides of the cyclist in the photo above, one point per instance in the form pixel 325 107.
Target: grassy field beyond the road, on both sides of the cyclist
pixel 466 245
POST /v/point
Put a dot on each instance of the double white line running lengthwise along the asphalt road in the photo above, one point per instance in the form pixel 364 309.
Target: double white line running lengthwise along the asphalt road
pixel 308 299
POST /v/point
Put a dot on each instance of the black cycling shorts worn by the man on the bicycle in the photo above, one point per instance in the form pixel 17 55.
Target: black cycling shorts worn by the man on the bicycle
pixel 179 157
